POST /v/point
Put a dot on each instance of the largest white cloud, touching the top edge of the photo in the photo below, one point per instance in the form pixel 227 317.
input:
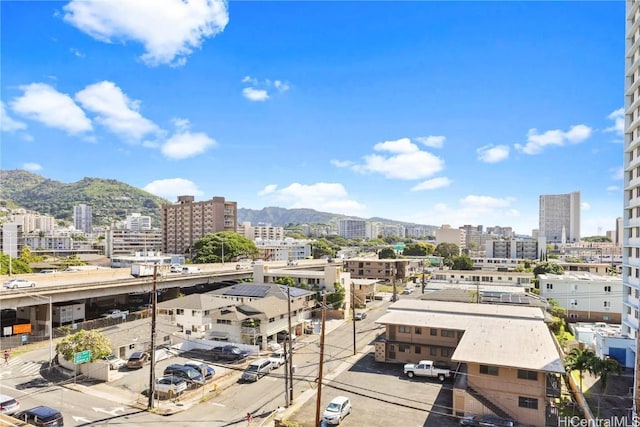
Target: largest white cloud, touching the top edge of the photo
pixel 168 29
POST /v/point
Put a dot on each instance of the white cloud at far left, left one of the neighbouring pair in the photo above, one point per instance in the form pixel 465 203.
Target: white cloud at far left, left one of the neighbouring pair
pixel 44 104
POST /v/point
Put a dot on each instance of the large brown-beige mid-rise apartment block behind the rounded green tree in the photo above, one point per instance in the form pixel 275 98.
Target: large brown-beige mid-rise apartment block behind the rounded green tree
pixel 187 221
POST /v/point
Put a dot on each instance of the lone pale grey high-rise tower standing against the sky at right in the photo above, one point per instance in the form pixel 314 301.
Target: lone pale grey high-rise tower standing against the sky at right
pixel 560 218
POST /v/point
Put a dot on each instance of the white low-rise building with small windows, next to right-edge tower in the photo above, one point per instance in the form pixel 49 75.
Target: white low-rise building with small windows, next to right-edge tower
pixel 586 297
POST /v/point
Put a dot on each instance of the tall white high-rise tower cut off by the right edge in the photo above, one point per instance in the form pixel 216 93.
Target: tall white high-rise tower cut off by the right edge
pixel 631 197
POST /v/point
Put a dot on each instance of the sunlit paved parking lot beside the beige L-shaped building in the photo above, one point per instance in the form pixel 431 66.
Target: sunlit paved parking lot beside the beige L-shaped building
pixel 381 395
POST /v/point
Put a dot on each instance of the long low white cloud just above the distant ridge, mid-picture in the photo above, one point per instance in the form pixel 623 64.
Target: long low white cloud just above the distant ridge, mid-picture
pixel 325 196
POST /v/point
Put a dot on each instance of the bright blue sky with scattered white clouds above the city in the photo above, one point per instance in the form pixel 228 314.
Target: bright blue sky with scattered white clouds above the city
pixel 428 112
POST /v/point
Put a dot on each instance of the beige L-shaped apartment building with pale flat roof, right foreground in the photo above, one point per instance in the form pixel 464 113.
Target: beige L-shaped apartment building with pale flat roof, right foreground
pixel 506 358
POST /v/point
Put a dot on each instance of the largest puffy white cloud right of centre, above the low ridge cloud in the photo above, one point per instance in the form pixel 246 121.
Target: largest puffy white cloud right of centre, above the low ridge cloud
pixel 407 161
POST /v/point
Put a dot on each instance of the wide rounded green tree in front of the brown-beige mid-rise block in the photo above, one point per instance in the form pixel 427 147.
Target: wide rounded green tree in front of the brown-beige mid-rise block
pixel 210 248
